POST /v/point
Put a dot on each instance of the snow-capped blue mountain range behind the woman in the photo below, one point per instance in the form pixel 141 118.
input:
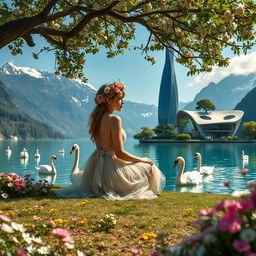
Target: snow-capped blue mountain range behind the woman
pixel 65 104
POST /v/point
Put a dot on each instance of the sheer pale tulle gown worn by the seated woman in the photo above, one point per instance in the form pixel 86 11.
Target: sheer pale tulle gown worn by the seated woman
pixel 104 176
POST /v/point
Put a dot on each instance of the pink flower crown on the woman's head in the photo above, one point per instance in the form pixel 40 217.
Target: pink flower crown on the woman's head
pixel 109 92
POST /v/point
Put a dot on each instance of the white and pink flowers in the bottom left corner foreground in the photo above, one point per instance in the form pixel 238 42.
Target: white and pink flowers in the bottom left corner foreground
pixel 17 240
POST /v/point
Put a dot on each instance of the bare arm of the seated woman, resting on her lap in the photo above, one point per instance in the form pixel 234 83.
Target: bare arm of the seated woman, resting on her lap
pixel 116 133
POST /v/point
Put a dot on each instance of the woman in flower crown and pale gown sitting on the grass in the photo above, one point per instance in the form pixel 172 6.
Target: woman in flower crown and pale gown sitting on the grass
pixel 111 172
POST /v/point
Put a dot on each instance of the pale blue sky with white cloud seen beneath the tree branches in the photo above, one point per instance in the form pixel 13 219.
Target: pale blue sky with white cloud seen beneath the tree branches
pixel 142 79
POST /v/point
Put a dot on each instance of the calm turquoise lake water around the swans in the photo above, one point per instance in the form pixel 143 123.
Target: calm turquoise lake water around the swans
pixel 226 157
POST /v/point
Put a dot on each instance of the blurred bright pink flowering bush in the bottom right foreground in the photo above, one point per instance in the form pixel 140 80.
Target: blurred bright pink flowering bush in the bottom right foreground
pixel 229 228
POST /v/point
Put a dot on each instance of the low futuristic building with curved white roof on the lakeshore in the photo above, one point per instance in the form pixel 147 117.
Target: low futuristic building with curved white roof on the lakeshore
pixel 210 125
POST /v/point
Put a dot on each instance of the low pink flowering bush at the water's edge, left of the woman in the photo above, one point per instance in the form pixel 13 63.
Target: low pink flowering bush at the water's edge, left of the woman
pixel 12 185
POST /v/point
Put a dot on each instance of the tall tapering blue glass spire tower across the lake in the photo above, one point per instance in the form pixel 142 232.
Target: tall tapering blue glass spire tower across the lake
pixel 168 95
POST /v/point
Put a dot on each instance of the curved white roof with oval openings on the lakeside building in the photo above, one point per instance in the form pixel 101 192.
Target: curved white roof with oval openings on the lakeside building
pixel 212 117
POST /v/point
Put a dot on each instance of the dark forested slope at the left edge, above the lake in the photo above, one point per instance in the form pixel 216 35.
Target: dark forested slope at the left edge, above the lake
pixel 12 122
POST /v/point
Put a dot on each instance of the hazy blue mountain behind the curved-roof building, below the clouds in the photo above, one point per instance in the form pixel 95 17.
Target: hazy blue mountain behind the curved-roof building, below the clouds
pixel 227 93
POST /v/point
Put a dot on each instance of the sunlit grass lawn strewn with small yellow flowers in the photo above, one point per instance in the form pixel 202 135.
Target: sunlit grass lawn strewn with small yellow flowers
pixel 172 212
